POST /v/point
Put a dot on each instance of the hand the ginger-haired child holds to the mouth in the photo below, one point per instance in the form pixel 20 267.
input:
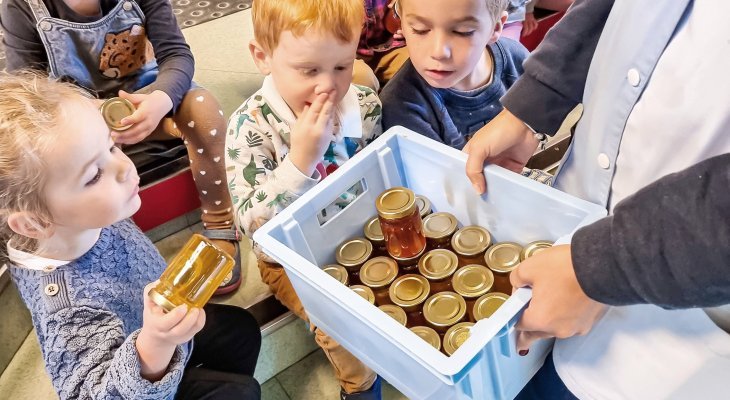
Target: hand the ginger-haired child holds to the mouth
pixel 312 134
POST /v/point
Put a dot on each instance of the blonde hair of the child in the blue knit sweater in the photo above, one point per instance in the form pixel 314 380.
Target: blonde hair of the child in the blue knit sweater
pixel 31 106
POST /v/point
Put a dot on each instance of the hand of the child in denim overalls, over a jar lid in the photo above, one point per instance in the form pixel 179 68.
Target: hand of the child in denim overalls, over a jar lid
pixel 151 108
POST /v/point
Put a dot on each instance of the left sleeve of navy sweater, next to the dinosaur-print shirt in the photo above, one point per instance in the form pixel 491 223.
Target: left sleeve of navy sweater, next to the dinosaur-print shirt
pixel 405 103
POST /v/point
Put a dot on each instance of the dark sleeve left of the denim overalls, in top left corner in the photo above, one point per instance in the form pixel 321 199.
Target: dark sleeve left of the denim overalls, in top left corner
pixel 23 45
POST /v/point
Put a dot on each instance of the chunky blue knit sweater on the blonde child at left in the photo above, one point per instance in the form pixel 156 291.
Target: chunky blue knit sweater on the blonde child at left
pixel 87 330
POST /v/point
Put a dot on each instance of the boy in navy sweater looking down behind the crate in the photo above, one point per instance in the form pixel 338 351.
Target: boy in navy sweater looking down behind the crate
pixel 458 68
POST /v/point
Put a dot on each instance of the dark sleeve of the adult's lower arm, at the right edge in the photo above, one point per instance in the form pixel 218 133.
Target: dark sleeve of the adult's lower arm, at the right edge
pixel 668 244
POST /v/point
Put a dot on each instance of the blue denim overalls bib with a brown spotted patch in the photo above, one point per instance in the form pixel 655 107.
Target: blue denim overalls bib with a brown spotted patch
pixel 103 56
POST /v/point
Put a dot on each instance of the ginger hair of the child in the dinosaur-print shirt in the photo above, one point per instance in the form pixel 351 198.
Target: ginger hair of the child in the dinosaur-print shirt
pixel 341 18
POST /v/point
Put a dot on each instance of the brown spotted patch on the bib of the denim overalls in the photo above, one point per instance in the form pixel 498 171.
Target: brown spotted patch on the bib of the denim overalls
pixel 124 53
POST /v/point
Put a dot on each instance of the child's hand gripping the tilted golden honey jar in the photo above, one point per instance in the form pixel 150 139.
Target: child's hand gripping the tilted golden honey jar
pixel 161 332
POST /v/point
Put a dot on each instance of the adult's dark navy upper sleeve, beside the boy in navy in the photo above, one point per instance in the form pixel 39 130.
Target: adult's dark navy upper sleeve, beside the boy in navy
pixel 555 73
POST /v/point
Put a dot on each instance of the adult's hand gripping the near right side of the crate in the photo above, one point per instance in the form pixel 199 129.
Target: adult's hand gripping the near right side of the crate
pixel 559 307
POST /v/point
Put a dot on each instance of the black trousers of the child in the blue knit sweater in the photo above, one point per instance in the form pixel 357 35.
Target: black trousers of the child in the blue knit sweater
pixel 224 357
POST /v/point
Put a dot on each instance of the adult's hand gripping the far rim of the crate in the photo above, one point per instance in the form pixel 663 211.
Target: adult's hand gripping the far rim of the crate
pixel 505 141
